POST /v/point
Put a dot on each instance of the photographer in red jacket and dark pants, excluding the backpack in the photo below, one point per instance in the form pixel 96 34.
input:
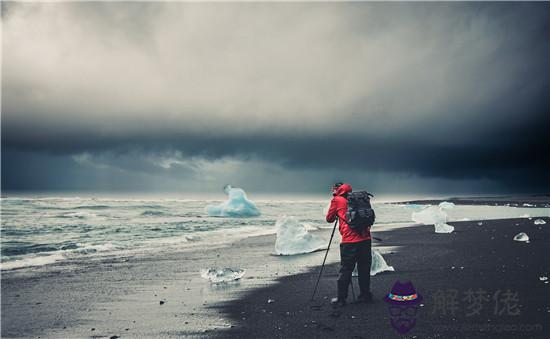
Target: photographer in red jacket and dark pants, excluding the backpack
pixel 355 248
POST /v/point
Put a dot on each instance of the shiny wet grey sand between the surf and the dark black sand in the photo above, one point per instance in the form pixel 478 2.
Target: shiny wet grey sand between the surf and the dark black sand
pixel 122 296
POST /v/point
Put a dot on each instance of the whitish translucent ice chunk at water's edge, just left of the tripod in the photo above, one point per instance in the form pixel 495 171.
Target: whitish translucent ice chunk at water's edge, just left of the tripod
pixel 293 238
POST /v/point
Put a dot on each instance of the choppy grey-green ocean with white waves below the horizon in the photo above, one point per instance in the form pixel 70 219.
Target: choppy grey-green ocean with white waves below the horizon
pixel 37 231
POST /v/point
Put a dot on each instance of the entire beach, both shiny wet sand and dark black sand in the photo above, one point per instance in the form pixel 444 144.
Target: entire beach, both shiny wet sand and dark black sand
pixel 122 296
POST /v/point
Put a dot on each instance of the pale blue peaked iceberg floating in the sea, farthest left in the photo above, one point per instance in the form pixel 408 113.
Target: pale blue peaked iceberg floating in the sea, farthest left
pixel 237 206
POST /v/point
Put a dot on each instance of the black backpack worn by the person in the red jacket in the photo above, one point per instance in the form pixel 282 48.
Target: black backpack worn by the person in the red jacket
pixel 360 214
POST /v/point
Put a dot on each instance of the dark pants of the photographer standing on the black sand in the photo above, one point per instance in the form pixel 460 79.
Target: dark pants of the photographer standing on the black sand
pixel 350 254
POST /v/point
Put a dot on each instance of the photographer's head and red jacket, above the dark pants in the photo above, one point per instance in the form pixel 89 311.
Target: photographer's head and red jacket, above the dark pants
pixel 338 208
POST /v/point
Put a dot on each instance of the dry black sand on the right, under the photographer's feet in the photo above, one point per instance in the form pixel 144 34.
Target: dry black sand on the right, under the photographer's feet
pixel 439 265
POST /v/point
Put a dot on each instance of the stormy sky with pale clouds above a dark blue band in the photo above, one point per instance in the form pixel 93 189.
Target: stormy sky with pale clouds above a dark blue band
pixel 404 98
